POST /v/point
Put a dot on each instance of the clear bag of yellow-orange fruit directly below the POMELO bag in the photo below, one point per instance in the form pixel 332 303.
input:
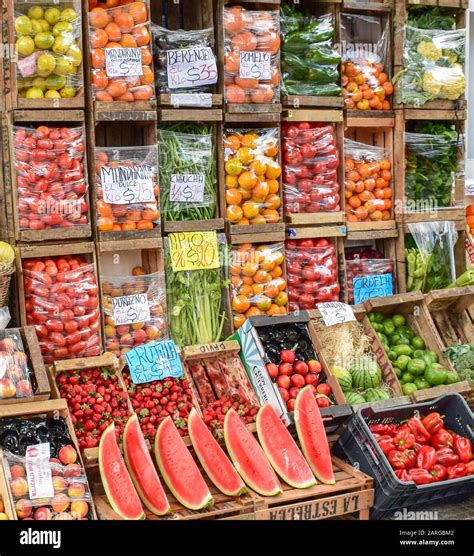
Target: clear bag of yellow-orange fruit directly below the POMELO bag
pixel 252 173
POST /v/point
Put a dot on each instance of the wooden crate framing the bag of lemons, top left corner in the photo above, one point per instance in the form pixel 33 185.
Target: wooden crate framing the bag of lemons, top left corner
pixel 12 98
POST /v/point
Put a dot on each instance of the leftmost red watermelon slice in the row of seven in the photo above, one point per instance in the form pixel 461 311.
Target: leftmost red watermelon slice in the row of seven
pixel 118 485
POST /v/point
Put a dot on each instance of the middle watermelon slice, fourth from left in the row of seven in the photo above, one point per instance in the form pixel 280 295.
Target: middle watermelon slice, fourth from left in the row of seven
pixel 213 458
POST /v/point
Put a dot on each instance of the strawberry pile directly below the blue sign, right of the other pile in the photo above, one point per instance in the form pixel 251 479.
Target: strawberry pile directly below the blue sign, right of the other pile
pixel 154 401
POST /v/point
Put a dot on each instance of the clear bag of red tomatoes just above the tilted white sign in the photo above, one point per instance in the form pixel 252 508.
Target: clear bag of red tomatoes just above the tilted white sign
pixel 312 273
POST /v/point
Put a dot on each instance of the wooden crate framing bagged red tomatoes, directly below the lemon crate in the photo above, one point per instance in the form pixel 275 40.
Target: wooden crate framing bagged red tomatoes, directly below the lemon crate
pixel 33 119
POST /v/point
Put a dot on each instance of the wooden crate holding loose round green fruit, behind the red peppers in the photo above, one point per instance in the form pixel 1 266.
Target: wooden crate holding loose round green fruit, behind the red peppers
pixel 413 307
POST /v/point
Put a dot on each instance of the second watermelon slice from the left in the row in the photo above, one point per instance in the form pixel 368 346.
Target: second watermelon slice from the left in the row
pixel 143 472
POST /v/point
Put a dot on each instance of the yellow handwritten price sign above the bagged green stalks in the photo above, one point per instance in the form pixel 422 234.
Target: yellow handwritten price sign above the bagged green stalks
pixel 193 251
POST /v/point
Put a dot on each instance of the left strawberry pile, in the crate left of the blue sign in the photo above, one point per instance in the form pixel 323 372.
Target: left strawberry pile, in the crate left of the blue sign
pixel 95 398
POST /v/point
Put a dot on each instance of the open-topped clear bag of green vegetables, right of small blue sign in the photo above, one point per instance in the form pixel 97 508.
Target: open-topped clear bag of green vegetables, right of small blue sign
pixel 429 255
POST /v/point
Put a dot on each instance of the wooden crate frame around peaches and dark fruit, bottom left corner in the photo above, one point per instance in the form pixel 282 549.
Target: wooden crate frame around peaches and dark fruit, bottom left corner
pixel 47 408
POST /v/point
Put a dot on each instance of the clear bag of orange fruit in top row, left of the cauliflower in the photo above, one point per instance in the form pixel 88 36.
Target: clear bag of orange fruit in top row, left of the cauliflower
pixel 365 64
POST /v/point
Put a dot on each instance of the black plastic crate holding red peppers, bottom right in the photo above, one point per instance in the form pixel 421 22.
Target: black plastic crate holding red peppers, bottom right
pixel 357 445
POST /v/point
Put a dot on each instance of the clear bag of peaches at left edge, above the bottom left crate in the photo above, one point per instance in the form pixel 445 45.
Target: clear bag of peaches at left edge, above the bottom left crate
pixel 15 379
